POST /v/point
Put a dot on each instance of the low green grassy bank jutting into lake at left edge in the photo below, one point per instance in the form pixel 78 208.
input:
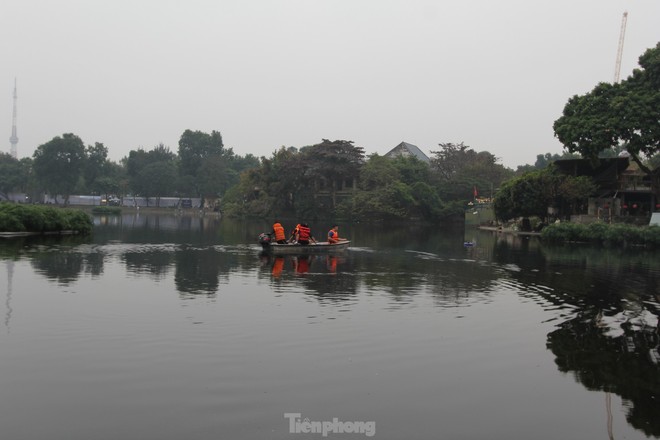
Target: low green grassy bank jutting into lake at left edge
pixel 15 217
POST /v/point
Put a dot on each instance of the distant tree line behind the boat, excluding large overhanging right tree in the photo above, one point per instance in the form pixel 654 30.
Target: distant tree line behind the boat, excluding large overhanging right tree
pixel 331 179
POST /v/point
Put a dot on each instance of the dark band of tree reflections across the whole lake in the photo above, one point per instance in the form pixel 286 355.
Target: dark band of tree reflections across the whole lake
pixel 606 334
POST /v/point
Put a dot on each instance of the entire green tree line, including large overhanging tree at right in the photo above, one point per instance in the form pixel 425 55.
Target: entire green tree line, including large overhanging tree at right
pixel 336 178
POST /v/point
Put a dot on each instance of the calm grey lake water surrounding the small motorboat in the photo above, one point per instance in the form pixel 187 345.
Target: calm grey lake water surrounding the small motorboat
pixel 176 327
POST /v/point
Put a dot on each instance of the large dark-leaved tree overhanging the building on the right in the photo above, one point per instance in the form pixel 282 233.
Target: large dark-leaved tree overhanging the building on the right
pixel 612 114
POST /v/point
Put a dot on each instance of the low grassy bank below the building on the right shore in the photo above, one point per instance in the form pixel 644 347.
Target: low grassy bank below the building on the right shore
pixel 603 233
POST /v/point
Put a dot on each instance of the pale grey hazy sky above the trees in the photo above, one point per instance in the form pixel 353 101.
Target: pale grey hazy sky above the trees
pixel 267 73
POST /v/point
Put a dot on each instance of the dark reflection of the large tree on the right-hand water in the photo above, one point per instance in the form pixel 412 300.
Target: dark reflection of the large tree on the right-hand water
pixel 610 341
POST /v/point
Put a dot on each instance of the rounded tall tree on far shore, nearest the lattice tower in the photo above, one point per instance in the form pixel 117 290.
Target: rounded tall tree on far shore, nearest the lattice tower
pixel 58 164
